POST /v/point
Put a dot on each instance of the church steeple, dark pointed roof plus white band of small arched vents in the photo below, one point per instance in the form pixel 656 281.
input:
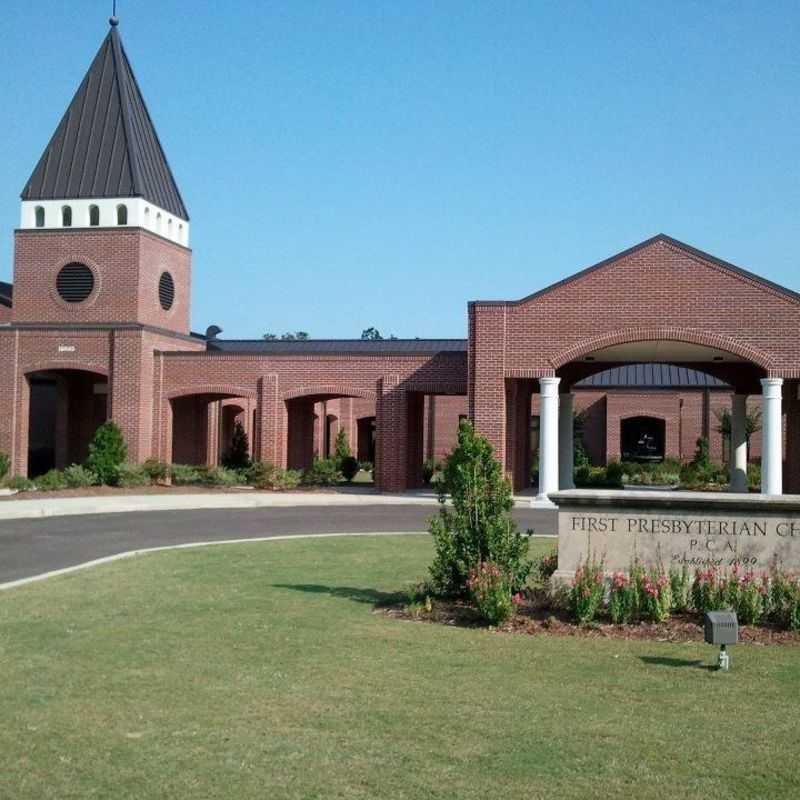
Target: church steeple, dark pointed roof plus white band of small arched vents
pixel 106 148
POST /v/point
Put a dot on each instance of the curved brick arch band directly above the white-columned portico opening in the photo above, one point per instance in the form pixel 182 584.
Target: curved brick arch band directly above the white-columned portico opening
pixel 687 335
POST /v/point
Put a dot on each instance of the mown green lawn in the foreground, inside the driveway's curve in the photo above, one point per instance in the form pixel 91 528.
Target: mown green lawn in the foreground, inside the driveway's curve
pixel 259 671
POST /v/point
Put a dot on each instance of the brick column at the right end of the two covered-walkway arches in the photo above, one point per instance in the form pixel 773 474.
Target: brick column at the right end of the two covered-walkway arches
pixel 391 429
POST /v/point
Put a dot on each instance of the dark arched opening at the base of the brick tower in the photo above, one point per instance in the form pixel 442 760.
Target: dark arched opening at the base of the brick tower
pixel 66 408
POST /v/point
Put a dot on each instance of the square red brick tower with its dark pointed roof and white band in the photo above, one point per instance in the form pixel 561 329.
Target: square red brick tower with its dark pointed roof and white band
pixel 102 276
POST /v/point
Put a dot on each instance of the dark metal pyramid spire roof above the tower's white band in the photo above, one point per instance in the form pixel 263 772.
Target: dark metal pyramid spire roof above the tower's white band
pixel 106 144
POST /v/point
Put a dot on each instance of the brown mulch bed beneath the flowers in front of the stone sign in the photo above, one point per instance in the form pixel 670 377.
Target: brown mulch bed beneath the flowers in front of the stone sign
pixel 533 620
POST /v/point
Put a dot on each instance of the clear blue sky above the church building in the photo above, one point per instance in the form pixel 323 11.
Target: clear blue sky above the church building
pixel 348 164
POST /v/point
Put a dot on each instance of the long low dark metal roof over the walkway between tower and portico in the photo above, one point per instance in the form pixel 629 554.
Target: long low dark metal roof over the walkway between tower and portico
pixel 336 346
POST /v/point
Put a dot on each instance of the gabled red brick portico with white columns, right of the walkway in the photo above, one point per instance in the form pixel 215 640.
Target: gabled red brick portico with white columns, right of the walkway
pixel 600 319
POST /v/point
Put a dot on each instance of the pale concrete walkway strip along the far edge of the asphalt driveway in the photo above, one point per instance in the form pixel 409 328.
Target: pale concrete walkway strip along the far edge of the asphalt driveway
pixel 126 504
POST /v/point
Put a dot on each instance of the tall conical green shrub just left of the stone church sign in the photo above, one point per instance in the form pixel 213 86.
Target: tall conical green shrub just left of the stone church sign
pixel 479 526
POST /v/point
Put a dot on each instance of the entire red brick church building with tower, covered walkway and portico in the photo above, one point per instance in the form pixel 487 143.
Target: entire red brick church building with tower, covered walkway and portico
pixel 651 344
